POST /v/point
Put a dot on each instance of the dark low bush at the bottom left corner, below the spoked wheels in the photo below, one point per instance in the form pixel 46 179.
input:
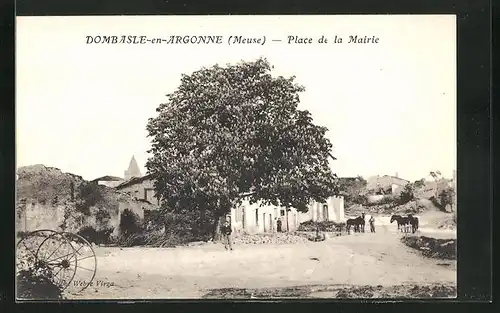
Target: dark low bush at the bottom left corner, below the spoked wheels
pixel 36 284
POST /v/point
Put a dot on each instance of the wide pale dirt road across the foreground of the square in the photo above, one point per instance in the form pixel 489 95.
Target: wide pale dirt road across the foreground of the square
pixel 191 272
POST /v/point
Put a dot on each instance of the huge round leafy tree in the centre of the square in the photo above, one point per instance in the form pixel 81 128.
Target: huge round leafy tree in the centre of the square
pixel 235 132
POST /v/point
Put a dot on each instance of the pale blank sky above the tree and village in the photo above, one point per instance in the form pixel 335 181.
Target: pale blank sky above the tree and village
pixel 390 107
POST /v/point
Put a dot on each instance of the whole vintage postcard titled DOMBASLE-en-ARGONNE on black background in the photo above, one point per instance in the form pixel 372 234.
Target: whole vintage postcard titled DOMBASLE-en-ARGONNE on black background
pixel 236 157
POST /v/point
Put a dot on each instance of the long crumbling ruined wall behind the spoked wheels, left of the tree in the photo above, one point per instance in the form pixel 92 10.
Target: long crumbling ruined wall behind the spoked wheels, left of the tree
pixel 50 199
